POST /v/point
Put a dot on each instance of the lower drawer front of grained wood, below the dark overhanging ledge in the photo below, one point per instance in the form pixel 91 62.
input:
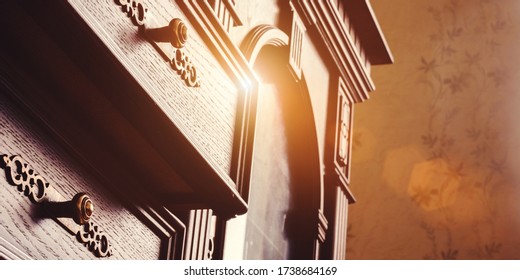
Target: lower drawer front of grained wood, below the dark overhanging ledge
pixel 27 232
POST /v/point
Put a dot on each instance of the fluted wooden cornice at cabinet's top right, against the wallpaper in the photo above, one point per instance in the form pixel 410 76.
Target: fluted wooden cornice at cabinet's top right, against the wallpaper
pixel 352 59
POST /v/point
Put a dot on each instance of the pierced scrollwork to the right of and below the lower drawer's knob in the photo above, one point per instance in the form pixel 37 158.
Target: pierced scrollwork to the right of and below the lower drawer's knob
pixel 94 239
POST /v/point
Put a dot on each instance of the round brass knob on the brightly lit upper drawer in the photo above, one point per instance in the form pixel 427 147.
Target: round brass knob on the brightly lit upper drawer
pixel 176 33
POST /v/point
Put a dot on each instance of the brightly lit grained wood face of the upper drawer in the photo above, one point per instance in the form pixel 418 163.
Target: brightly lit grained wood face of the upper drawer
pixel 207 114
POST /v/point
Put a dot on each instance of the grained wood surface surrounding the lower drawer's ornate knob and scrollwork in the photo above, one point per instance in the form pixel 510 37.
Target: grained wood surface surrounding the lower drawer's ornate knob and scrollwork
pixel 21 224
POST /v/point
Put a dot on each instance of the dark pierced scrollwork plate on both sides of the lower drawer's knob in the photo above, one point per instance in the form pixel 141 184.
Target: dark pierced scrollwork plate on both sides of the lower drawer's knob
pixel 38 190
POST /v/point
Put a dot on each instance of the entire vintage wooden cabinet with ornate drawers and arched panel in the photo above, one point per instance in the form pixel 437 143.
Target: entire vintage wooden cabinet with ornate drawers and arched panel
pixel 188 129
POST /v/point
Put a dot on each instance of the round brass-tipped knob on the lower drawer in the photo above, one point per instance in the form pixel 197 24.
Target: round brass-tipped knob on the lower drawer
pixel 80 208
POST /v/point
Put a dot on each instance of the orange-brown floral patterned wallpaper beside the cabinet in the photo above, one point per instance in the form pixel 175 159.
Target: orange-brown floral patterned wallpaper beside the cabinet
pixel 442 133
